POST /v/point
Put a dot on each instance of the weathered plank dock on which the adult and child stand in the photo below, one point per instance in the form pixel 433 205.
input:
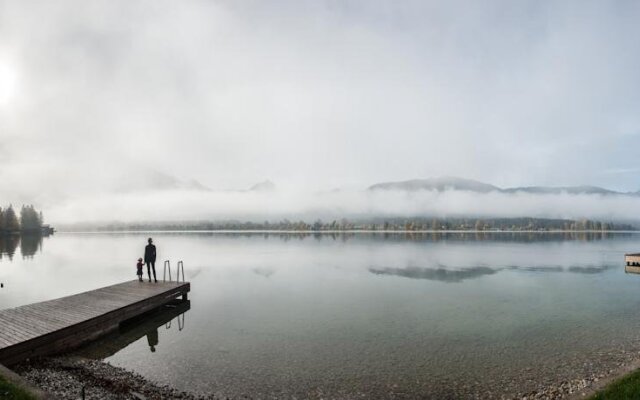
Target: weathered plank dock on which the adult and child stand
pixel 62 324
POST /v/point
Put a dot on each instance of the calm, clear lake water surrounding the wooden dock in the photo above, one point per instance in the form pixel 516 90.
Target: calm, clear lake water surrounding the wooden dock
pixel 344 316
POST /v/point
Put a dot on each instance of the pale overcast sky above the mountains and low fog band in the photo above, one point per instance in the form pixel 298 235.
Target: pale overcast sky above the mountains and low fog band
pixel 97 95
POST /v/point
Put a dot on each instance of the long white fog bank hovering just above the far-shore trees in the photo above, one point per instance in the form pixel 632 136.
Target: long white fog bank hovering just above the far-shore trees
pixel 174 205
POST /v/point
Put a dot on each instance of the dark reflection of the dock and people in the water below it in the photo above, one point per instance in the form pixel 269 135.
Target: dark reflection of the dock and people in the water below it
pixel 136 329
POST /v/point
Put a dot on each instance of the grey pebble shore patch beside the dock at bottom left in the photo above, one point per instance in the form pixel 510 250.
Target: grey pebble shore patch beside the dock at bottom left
pixel 64 378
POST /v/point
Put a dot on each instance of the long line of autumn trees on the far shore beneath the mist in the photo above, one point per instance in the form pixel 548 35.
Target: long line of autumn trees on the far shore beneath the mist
pixel 386 224
